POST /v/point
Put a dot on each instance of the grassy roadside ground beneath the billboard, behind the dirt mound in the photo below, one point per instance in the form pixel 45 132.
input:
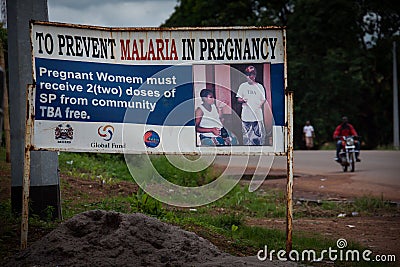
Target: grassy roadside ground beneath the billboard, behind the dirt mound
pixel 224 222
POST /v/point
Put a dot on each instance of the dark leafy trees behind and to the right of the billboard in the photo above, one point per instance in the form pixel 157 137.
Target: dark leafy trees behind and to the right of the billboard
pixel 339 57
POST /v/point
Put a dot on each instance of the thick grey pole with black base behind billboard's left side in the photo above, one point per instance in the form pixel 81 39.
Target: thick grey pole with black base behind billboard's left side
pixel 44 178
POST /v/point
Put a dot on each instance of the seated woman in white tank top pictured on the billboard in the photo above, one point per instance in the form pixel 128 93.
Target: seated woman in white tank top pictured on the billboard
pixel 209 124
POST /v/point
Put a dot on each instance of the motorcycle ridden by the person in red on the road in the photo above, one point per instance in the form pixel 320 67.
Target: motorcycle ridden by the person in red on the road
pixel 347 155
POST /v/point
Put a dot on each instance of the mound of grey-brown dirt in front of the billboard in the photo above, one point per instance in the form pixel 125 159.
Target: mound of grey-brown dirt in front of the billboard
pixel 102 238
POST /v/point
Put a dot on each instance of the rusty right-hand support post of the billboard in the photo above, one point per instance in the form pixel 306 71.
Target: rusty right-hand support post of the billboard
pixel 289 184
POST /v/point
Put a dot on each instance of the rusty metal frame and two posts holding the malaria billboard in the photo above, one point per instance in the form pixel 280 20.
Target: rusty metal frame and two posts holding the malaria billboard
pixel 288 123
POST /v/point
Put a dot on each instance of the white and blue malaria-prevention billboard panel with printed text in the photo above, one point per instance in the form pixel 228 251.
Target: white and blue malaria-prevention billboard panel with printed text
pixel 159 90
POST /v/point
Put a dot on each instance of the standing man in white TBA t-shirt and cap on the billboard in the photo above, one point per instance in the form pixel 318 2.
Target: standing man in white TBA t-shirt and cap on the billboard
pixel 251 95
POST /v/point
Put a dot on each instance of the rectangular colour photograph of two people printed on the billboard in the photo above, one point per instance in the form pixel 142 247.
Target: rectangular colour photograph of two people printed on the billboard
pixel 235 103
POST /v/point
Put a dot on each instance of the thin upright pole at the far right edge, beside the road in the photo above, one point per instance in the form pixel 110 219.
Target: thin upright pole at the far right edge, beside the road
pixel 395 101
